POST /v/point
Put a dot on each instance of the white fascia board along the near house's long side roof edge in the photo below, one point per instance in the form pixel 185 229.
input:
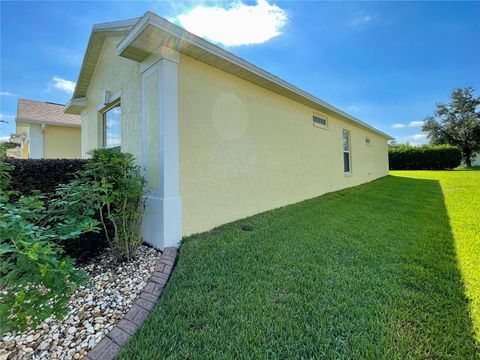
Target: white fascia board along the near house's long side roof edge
pixel 153 19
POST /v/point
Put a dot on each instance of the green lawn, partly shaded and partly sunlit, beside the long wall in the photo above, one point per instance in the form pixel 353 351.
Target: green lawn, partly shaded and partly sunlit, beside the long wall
pixel 390 270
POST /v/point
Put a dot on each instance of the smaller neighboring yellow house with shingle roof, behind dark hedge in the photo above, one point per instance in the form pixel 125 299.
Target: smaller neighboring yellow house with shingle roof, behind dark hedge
pixel 44 131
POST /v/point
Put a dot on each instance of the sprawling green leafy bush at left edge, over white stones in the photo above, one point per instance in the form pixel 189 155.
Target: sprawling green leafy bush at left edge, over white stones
pixel 36 278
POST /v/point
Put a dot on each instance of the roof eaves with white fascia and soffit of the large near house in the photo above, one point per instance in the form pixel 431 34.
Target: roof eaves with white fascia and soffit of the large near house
pixel 143 36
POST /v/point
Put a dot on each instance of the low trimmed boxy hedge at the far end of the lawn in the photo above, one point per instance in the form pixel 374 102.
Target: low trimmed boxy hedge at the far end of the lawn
pixel 426 157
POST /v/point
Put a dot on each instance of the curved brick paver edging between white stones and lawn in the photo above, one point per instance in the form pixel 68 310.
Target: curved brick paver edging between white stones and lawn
pixel 113 342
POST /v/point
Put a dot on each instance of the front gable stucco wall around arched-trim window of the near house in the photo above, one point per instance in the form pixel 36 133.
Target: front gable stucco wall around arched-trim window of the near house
pixel 113 73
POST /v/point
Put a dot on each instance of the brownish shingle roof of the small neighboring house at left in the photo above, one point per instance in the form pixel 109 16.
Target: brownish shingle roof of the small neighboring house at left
pixel 45 112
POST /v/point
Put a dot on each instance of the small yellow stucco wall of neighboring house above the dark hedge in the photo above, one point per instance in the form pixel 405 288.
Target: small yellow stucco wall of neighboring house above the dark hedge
pixel 61 142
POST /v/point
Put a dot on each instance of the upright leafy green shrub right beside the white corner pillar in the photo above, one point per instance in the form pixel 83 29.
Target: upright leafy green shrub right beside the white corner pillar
pixel 113 184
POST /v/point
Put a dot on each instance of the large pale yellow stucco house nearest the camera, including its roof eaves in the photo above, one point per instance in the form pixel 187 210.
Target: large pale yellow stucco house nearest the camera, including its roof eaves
pixel 220 138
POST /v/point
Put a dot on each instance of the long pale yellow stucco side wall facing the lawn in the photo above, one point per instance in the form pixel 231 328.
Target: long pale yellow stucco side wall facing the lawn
pixel 244 149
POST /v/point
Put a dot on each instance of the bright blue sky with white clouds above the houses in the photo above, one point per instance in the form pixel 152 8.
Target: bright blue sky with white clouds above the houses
pixel 386 63
